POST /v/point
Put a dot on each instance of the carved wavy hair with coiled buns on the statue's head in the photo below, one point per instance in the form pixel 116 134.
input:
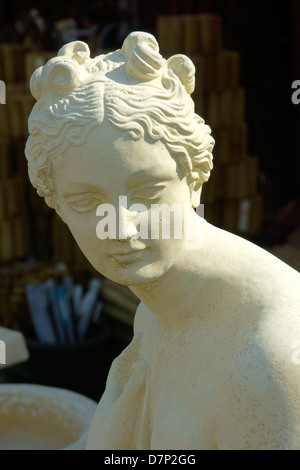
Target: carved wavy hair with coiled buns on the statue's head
pixel 75 93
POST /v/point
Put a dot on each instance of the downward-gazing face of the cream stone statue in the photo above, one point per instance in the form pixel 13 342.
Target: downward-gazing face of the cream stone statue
pixel 109 165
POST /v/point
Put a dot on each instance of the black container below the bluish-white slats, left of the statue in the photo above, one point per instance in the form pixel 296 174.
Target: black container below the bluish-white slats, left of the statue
pixel 81 367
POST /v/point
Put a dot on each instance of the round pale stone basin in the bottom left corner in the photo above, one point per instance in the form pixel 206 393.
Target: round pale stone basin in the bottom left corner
pixel 36 417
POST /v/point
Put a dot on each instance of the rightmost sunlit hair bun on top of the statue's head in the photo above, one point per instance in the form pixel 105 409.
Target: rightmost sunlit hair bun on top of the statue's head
pixel 181 66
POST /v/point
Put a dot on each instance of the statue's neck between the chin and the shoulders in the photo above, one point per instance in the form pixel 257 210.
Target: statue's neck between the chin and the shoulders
pixel 183 294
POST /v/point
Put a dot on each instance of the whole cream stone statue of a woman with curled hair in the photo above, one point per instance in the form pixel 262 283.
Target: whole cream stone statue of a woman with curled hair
pixel 211 362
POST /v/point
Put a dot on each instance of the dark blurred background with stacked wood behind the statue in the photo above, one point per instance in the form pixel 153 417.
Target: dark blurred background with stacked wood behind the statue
pixel 247 55
